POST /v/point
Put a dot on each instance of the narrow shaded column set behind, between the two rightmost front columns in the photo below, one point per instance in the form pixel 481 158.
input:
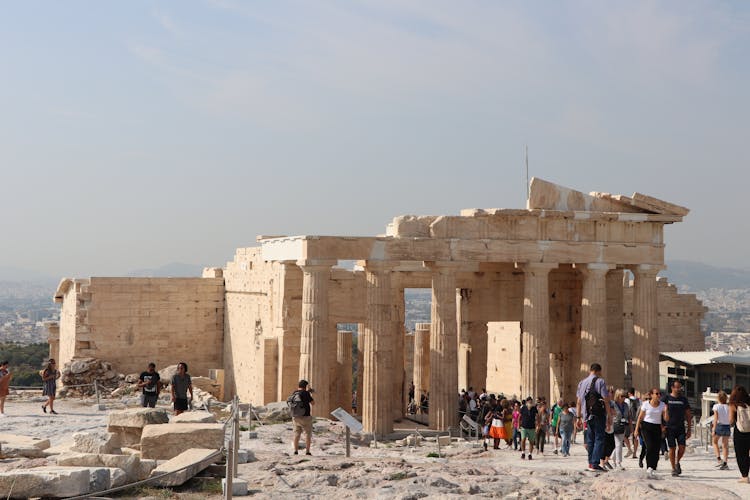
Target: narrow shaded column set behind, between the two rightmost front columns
pixel 615 344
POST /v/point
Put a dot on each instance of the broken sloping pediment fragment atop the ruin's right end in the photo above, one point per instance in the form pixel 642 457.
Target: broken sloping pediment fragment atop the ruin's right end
pixel 546 195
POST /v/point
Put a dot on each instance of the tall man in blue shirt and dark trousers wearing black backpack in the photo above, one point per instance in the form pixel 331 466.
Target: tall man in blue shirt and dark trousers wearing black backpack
pixel 592 407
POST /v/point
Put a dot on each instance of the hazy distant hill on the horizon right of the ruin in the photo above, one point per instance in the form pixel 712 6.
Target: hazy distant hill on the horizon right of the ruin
pixel 699 276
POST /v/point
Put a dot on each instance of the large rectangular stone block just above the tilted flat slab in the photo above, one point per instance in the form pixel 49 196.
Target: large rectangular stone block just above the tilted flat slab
pixel 163 442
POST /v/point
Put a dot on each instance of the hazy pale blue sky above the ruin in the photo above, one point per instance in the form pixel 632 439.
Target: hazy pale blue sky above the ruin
pixel 133 134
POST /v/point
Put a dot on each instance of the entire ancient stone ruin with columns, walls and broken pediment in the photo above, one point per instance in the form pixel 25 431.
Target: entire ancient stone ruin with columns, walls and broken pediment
pixel 522 302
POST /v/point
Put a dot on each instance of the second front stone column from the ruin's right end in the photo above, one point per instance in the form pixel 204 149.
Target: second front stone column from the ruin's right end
pixel 594 317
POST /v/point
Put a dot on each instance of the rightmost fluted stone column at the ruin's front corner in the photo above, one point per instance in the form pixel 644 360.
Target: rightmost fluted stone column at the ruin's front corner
pixel 646 337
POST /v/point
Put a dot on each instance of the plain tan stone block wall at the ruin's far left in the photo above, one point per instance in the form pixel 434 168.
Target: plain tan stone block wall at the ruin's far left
pixel 132 321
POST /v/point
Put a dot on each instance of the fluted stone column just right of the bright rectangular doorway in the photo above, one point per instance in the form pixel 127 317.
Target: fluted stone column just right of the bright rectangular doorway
pixel 535 353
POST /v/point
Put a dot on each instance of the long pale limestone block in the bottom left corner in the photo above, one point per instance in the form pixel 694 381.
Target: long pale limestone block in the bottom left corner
pixel 46 482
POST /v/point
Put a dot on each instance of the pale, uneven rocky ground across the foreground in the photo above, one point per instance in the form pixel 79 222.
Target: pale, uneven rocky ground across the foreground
pixel 392 470
